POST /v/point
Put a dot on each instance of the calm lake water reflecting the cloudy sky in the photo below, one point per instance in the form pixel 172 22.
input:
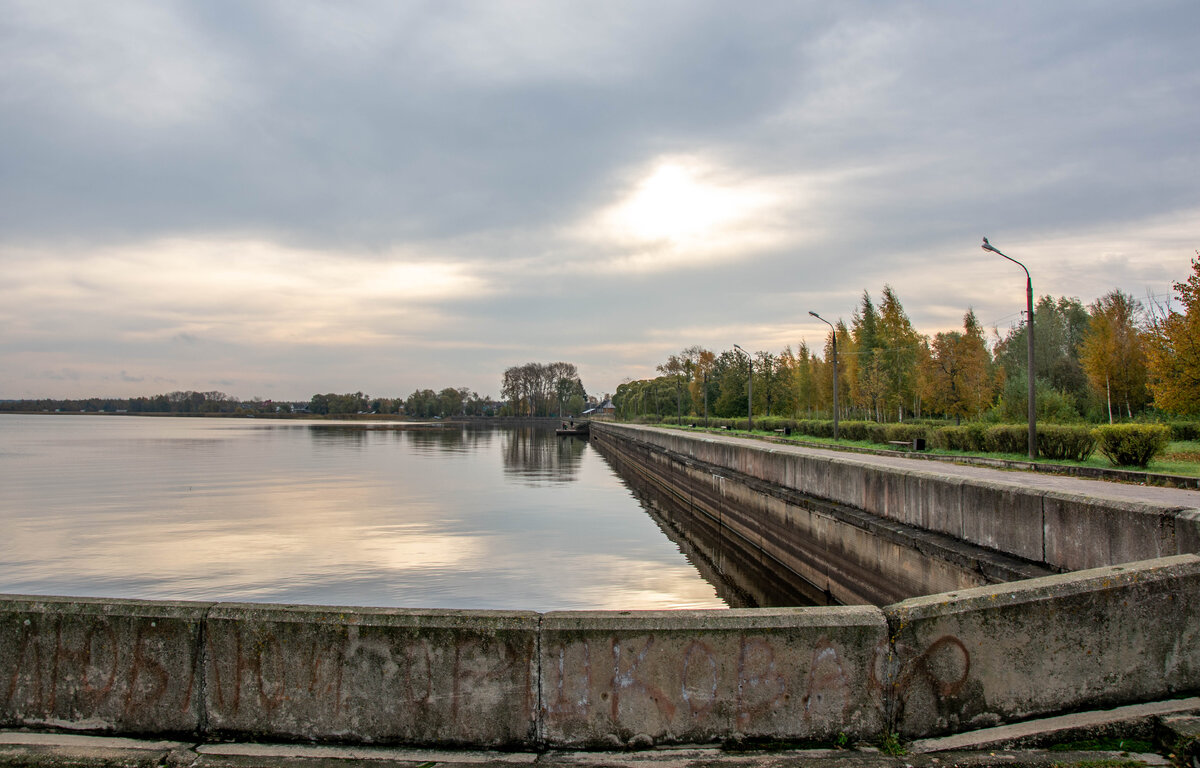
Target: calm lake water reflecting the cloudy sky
pixel 285 512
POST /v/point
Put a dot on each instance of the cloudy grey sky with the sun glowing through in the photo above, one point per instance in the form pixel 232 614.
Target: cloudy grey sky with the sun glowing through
pixel 275 200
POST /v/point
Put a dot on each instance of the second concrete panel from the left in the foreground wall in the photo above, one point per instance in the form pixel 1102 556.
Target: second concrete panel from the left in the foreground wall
pixel 373 675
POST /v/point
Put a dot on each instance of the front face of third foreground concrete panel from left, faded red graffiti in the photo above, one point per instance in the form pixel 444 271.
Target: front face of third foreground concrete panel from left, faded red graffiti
pixel 686 685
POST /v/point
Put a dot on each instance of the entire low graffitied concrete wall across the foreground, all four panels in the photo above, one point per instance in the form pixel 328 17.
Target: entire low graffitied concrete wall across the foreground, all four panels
pixel 586 680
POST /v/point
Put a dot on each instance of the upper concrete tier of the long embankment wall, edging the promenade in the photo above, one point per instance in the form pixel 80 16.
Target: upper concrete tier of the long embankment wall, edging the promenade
pixel 1063 532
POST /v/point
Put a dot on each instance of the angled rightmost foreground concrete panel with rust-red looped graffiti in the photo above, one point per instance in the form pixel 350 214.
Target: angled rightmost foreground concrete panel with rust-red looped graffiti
pixel 994 655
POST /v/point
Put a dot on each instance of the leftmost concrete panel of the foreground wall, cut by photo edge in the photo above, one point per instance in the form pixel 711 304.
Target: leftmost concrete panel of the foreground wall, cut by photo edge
pixel 123 667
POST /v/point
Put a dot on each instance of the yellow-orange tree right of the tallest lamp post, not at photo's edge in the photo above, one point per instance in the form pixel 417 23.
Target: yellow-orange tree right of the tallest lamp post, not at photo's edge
pixel 1113 353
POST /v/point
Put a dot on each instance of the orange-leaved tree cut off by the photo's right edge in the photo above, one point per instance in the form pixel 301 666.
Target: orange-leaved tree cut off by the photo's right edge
pixel 1174 350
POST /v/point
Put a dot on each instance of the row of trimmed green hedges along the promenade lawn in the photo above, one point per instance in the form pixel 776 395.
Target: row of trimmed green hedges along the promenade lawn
pixel 1125 445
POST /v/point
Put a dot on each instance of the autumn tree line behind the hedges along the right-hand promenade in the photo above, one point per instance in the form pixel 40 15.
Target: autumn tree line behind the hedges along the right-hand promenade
pixel 1111 361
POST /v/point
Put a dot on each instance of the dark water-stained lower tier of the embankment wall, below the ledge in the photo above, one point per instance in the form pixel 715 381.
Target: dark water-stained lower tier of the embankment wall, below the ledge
pixel 844 555
